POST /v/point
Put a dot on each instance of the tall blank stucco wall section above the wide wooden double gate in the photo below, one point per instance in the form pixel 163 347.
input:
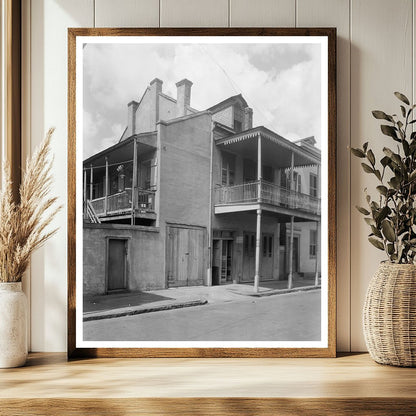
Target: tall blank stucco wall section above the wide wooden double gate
pixel 185 171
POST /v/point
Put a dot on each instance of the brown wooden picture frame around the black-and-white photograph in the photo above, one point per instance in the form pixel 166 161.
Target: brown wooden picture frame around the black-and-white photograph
pixel 330 351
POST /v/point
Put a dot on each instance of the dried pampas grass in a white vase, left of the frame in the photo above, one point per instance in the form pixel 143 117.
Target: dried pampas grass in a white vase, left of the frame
pixel 23 228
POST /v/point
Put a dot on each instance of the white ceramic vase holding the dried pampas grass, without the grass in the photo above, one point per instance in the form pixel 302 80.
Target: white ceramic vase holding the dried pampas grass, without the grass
pixel 13 325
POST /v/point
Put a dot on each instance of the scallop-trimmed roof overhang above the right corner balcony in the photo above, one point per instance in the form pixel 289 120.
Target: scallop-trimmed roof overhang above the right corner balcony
pixel 276 150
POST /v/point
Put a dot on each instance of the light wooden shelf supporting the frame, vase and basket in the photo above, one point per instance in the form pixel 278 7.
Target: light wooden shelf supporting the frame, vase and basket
pixel 349 384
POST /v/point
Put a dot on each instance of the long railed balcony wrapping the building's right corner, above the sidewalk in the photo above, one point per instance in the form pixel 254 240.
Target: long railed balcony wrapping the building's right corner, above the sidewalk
pixel 270 195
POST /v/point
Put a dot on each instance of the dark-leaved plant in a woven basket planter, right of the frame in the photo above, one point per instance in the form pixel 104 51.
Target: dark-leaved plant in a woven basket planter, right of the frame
pixel 389 318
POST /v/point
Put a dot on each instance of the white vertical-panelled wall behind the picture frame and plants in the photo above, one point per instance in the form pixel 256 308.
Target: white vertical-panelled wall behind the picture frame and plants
pixel 375 58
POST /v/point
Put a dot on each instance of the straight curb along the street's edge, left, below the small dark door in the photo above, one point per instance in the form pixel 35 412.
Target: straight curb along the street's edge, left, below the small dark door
pixel 116 313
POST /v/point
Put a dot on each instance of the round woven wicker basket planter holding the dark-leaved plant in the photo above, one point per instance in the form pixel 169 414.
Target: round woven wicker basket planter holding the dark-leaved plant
pixel 389 317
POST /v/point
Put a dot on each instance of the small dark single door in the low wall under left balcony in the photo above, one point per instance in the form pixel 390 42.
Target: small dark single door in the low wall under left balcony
pixel 116 264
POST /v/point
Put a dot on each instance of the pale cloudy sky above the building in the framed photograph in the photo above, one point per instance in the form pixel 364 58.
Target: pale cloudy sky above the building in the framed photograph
pixel 281 82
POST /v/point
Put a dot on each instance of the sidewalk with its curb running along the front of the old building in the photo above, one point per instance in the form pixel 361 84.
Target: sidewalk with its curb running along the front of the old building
pixel 133 303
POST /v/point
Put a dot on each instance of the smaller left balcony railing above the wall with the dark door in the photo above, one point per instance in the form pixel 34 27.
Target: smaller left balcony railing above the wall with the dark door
pixel 119 204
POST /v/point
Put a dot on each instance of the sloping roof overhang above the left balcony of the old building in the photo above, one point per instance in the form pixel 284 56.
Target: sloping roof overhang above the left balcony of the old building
pixel 123 151
